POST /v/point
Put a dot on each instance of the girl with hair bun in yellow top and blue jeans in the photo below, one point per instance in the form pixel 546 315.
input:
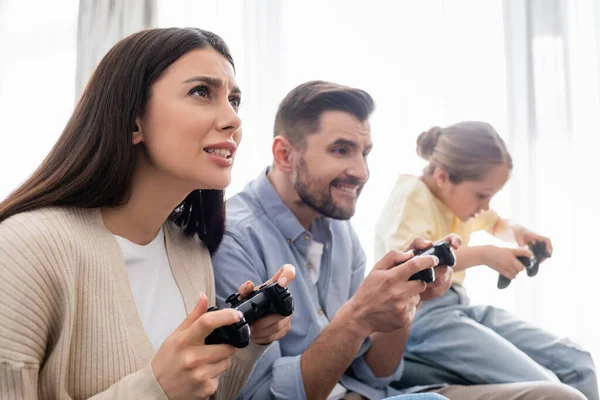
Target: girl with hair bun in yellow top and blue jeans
pixel 468 165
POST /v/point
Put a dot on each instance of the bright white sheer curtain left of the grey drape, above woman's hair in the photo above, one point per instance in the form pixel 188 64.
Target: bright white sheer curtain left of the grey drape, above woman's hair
pixel 37 66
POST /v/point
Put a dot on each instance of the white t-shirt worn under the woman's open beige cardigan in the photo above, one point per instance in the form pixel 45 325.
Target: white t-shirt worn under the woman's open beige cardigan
pixel 156 294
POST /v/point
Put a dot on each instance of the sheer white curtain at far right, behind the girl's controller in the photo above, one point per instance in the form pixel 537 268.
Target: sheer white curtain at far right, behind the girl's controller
pixel 554 120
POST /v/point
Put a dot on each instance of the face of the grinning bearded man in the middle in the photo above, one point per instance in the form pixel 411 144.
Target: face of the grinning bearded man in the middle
pixel 332 169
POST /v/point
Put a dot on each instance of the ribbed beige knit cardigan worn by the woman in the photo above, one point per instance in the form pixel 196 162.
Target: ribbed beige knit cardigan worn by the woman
pixel 69 327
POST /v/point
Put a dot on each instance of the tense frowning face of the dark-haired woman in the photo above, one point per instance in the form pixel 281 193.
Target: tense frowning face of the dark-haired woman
pixel 191 129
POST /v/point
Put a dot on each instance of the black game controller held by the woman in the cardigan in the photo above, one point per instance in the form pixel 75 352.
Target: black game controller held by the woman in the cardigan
pixel 267 299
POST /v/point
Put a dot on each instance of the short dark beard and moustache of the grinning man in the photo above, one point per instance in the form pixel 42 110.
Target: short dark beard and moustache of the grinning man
pixel 317 195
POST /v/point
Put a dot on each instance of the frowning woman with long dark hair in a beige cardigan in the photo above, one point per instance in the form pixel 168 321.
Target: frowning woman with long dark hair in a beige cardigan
pixel 105 250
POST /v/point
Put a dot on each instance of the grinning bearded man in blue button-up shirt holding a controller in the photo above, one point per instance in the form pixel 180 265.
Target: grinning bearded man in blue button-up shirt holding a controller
pixel 347 332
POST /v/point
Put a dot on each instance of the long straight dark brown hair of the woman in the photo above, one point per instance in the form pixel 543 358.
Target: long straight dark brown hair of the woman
pixel 91 164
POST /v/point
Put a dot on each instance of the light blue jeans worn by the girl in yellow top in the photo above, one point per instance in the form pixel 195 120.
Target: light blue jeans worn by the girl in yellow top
pixel 485 345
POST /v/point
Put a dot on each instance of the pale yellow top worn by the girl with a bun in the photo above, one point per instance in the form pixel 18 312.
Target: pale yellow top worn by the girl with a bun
pixel 412 210
